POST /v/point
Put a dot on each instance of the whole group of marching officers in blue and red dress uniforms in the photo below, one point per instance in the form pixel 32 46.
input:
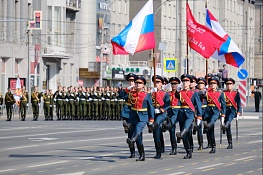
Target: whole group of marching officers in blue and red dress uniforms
pixel 195 103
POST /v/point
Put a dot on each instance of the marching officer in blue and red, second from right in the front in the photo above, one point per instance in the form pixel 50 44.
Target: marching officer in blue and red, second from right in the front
pixel 215 105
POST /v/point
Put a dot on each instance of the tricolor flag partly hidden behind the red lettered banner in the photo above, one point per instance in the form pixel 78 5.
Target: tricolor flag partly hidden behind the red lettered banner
pixel 229 52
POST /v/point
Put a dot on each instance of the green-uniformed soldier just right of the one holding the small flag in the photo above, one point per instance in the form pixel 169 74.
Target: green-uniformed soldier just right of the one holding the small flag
pixel 35 100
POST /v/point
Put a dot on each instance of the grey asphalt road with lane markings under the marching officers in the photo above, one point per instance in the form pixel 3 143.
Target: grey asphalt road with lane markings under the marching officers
pixel 99 147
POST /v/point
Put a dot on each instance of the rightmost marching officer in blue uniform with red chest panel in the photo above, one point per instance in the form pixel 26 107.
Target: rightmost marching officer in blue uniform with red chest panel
pixel 233 109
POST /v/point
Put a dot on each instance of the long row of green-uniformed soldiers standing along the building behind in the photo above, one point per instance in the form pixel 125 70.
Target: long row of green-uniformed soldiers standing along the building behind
pixel 72 103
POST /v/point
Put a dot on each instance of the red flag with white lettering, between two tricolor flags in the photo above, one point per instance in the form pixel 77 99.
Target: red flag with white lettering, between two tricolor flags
pixel 201 38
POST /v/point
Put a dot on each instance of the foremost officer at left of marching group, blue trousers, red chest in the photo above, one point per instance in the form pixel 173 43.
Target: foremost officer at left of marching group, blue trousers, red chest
pixel 142 111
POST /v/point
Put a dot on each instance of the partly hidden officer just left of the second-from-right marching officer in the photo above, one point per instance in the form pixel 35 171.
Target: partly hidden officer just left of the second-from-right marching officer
pixel 201 83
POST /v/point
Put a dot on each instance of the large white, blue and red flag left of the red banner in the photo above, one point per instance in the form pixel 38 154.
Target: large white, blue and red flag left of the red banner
pixel 138 35
